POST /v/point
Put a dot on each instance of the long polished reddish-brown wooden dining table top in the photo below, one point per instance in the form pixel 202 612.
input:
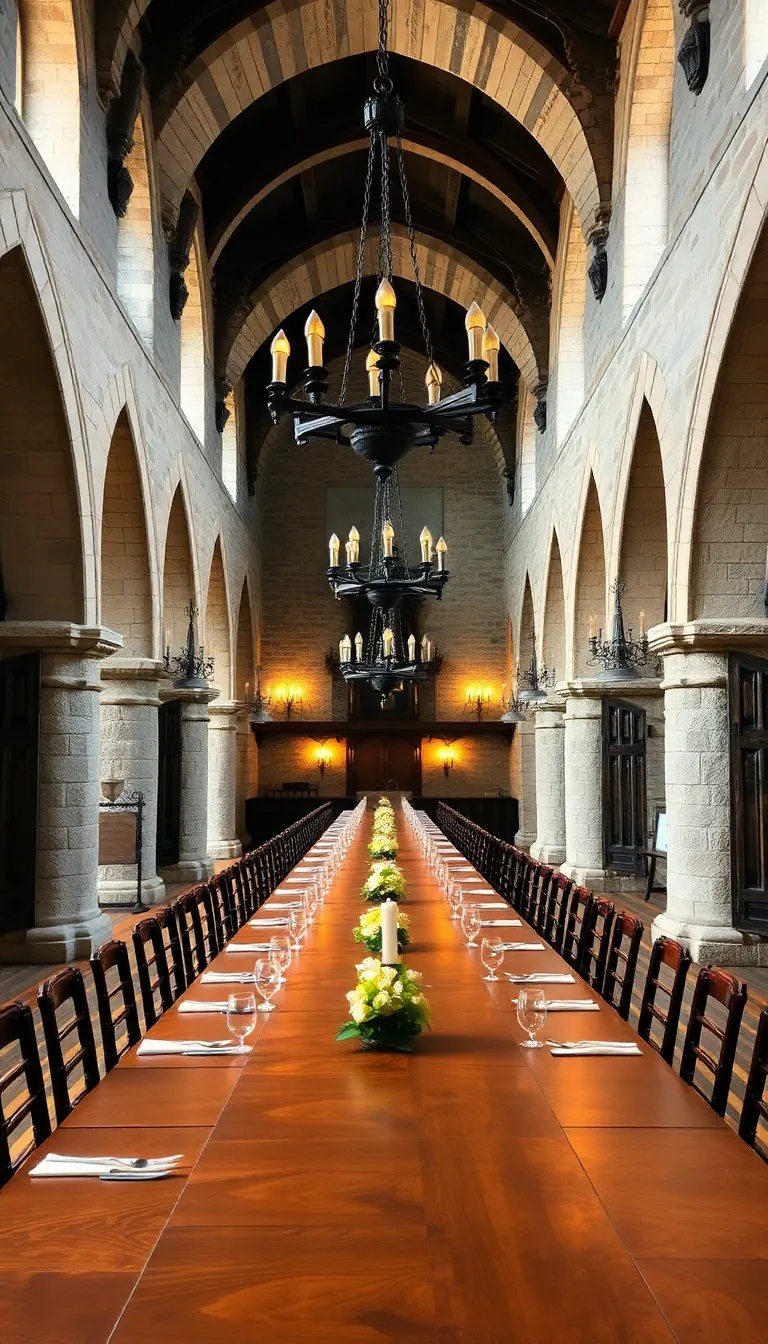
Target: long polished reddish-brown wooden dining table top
pixel 471 1191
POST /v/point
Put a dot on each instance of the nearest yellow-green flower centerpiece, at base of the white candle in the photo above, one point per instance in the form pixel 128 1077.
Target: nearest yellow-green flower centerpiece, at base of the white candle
pixel 387 1007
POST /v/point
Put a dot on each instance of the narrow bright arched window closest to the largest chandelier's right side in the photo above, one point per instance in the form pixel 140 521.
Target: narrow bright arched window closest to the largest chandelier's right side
pixel 571 337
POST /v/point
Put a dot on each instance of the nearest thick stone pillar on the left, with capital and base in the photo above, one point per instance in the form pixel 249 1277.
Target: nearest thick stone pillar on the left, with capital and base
pixel 68 921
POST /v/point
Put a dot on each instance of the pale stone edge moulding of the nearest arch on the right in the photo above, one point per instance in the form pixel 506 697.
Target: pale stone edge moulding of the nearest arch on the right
pixel 744 249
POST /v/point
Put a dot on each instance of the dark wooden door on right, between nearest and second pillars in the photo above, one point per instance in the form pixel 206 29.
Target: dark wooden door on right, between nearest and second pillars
pixel 623 786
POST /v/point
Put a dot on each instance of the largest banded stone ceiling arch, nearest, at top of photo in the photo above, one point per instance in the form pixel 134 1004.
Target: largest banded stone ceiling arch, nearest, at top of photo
pixel 478 46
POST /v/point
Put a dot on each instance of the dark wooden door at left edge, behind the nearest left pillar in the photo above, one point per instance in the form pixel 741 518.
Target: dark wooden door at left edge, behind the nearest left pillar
pixel 20 757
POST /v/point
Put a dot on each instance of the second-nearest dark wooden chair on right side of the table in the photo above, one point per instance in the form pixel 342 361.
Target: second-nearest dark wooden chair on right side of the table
pixel 714 986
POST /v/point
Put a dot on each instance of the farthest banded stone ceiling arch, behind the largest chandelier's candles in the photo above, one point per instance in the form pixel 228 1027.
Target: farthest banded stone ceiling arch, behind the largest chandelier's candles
pixel 333 264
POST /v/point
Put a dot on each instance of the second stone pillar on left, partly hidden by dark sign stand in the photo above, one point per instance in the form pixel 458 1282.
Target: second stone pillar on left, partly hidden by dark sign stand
pixel 130 706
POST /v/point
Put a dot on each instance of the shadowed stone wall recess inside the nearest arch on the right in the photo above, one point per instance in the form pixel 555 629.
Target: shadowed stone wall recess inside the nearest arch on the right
pixel 731 525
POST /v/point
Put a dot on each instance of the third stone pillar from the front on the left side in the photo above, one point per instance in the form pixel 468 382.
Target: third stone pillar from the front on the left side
pixel 194 864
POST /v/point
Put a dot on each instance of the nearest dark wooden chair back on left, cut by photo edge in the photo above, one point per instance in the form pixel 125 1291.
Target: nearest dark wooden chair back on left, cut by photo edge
pixel 25 1077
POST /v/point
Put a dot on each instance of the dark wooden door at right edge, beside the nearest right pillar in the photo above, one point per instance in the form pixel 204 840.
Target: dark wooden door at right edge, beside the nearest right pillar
pixel 748 709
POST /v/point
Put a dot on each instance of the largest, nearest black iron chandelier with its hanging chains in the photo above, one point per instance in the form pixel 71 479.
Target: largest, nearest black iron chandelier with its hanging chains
pixel 383 431
